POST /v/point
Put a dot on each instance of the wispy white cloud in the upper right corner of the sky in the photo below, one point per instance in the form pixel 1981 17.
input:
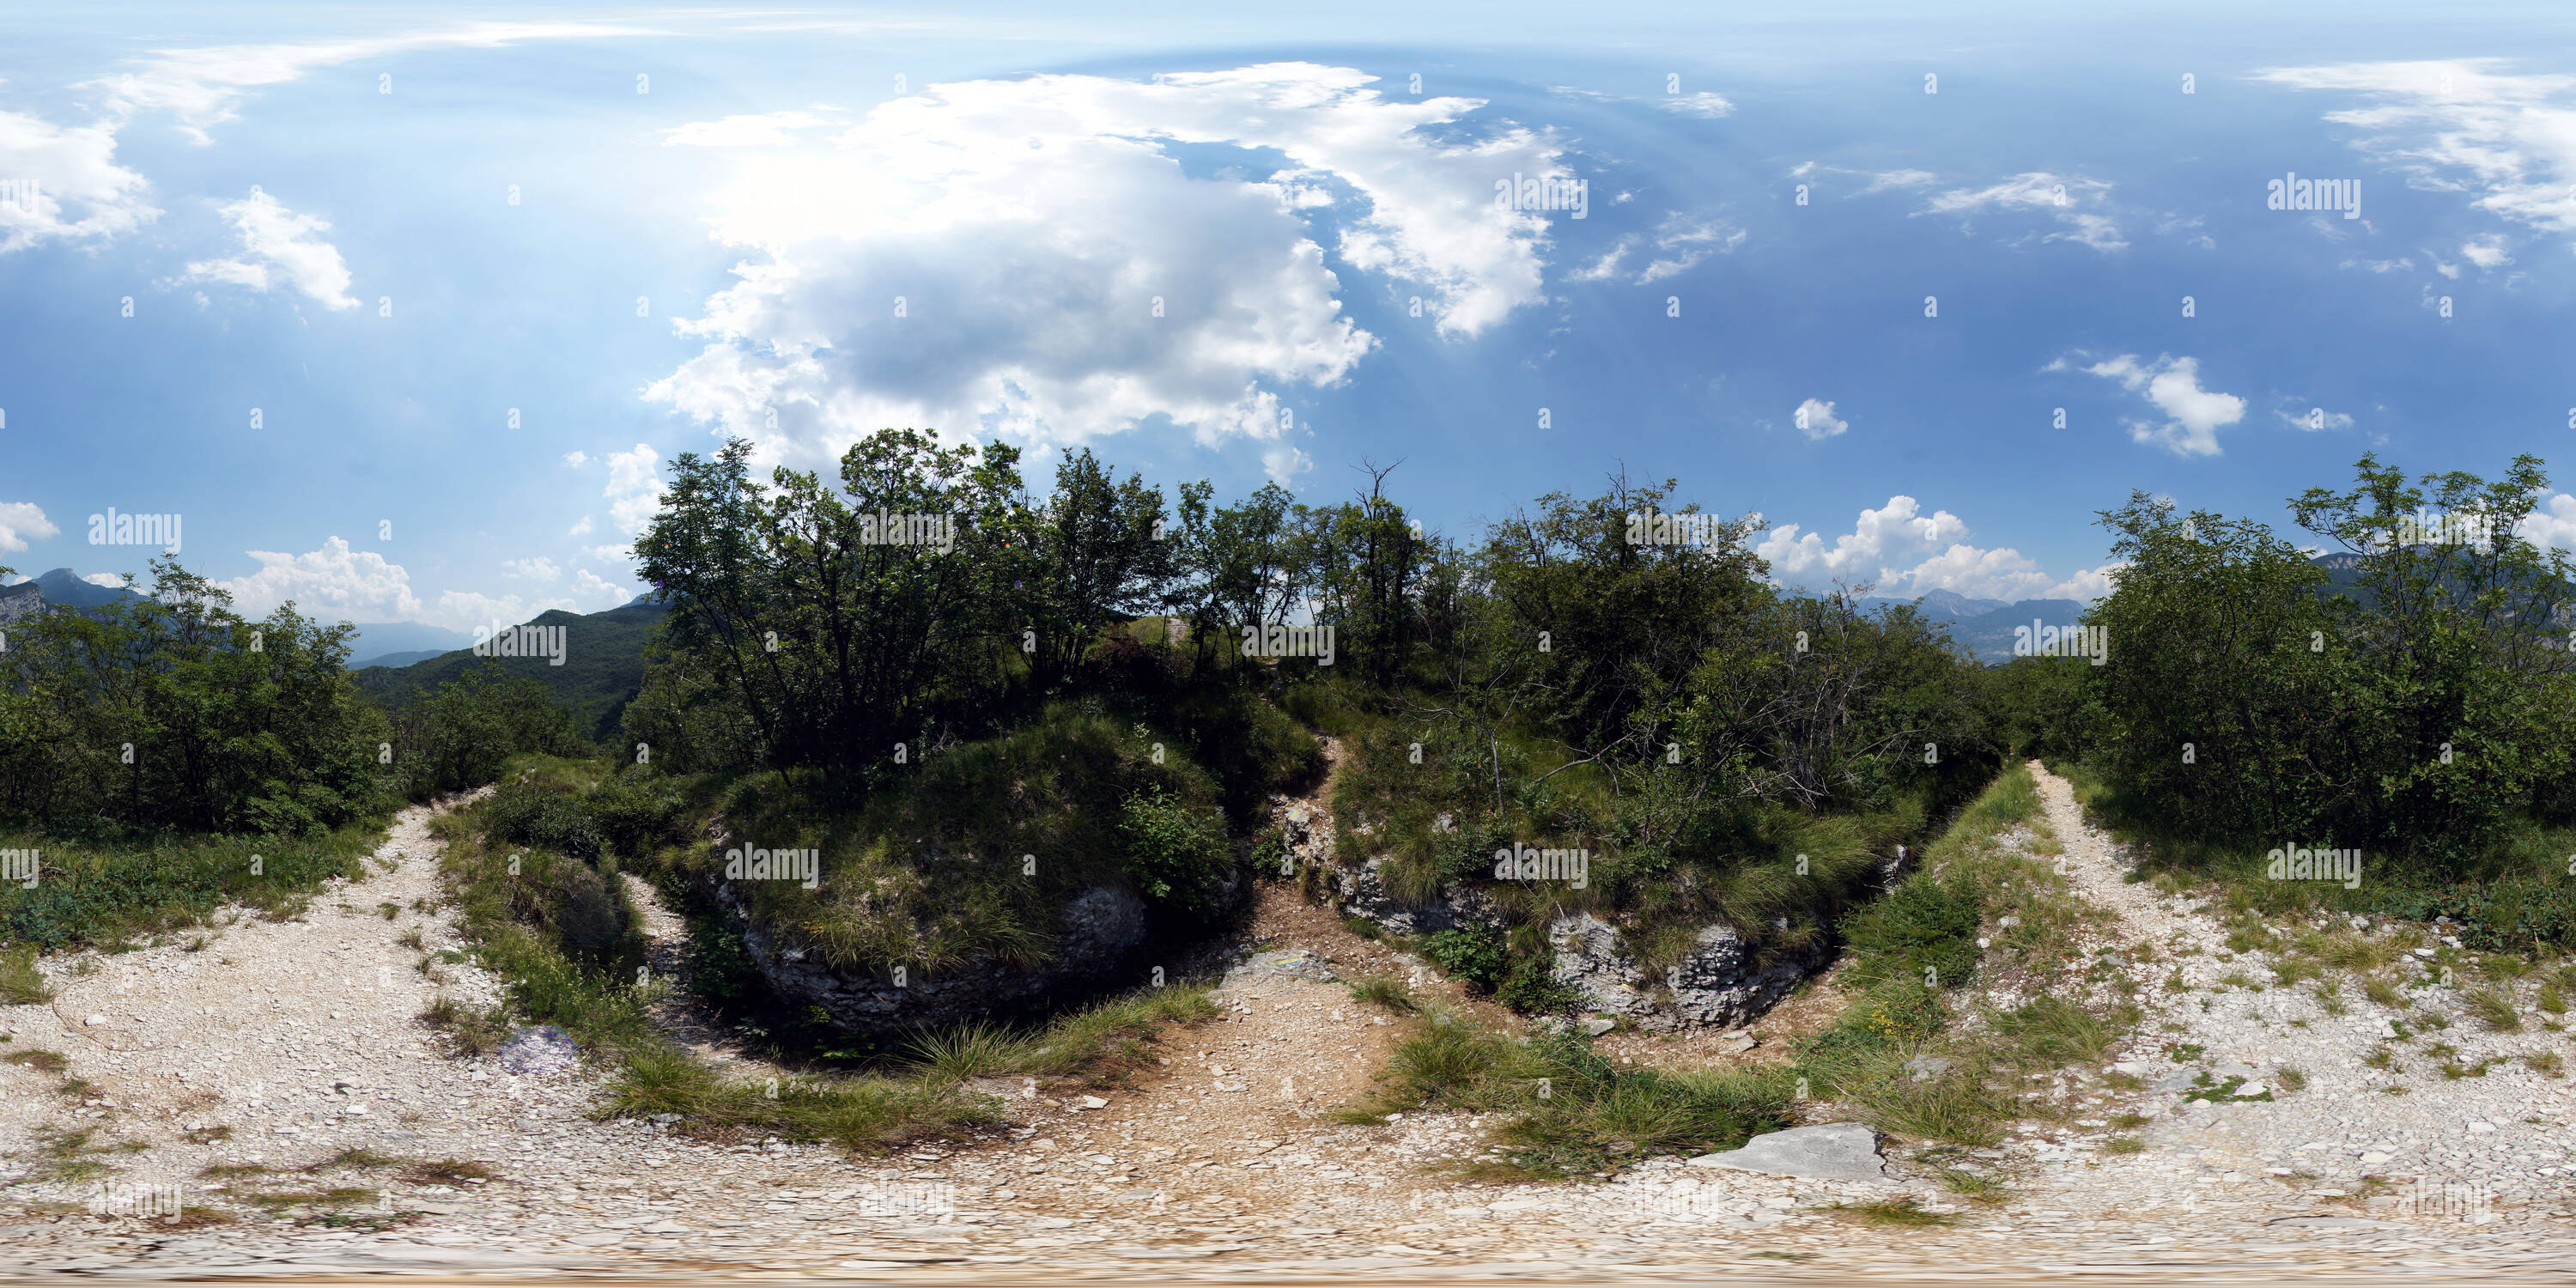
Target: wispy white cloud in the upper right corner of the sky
pixel 2464 128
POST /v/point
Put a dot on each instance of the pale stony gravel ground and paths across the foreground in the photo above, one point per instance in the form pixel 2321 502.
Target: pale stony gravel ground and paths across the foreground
pixel 287 1045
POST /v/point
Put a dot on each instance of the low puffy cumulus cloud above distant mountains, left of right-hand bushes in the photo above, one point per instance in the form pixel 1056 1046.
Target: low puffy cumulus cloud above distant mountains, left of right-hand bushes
pixel 1897 550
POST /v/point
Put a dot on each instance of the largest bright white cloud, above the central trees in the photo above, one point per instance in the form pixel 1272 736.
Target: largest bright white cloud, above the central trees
pixel 1006 215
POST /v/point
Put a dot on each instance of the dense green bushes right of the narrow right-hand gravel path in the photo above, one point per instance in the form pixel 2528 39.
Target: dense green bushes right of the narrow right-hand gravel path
pixel 2412 699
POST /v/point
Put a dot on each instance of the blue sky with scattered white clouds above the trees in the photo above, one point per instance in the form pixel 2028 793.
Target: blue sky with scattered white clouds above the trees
pixel 408 310
